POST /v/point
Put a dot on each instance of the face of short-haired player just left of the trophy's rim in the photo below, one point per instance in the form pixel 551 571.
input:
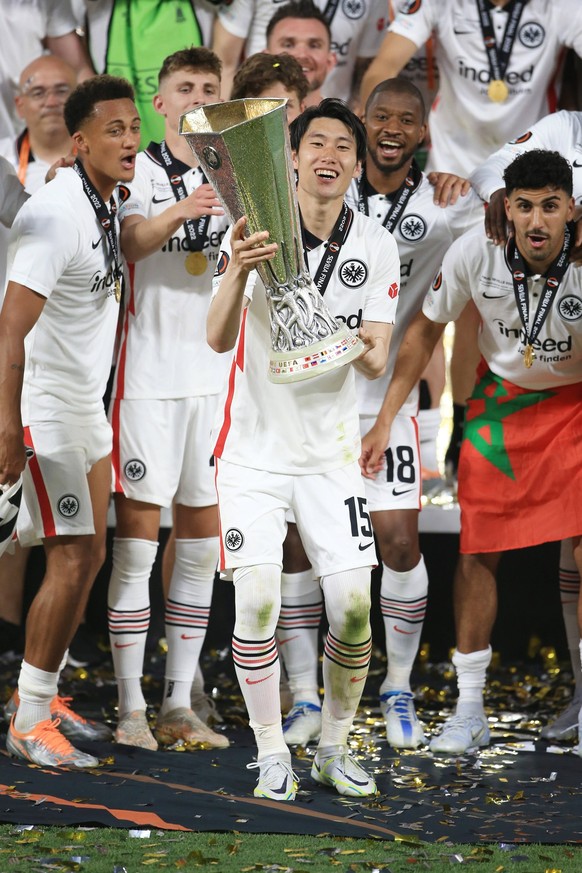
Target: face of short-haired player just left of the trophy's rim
pixel 184 90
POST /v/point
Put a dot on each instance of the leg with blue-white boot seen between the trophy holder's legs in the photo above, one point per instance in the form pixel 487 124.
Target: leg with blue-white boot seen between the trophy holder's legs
pixel 298 637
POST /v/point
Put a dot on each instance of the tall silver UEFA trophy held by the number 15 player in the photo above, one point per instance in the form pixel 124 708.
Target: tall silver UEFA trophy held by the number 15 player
pixel 243 147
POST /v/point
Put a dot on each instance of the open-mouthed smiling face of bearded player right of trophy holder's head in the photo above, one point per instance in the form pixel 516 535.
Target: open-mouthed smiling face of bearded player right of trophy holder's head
pixel 395 128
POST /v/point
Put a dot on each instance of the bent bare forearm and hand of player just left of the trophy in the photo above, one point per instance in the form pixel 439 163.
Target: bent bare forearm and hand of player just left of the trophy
pixel 142 236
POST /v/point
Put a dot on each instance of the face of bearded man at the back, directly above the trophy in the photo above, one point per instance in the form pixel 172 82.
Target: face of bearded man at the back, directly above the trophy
pixel 307 40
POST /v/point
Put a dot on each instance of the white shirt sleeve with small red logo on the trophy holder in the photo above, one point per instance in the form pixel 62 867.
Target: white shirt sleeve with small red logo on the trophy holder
pixel 383 284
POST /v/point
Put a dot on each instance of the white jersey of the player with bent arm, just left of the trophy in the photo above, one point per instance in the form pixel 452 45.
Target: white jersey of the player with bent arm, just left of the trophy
pixel 163 352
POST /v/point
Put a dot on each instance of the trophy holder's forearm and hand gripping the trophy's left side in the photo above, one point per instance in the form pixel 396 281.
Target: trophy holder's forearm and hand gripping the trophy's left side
pixel 223 322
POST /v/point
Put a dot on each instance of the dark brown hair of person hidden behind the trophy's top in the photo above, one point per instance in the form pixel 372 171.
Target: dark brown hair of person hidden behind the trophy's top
pixel 260 71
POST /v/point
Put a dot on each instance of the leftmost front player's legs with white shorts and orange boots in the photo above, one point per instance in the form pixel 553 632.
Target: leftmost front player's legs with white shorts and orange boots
pixel 71 473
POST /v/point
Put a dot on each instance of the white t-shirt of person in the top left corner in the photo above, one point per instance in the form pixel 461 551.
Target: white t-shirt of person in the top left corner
pixel 24 24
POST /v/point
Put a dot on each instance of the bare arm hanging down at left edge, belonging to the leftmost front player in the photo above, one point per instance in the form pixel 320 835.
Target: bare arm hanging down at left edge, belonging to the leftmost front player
pixel 20 312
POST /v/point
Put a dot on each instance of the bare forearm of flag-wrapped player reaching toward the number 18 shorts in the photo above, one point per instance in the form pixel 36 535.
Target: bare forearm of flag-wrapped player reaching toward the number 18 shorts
pixel 414 354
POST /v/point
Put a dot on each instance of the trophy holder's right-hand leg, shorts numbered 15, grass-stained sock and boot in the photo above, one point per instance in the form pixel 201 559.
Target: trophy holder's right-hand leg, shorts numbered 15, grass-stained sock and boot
pixel 335 528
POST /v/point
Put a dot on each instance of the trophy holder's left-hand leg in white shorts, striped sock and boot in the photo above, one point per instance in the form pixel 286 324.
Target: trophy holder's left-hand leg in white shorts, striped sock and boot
pixel 252 506
